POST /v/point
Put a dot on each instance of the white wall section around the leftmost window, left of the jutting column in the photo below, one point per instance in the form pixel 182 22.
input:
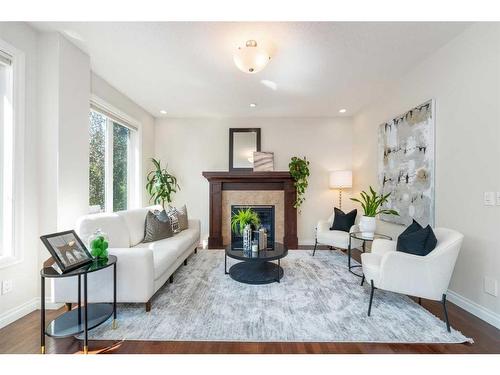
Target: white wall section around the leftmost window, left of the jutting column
pixel 24 274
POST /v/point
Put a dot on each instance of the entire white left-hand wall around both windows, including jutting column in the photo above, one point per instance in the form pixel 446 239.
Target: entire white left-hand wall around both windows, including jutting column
pixel 55 163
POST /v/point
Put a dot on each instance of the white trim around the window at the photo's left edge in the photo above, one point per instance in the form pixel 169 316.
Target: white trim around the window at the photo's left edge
pixel 19 104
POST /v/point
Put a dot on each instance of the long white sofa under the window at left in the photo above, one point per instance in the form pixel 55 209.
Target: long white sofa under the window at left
pixel 142 268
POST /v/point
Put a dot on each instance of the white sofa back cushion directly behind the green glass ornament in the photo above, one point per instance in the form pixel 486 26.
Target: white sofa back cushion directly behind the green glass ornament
pixel 111 224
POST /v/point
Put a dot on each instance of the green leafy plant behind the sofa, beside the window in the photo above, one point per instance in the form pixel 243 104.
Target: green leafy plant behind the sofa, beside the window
pixel 161 185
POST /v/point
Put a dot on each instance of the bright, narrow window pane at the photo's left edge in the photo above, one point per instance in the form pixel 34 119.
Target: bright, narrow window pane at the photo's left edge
pixel 6 155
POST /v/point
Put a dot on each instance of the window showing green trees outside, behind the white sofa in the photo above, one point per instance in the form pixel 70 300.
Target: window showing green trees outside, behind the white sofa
pixel 111 166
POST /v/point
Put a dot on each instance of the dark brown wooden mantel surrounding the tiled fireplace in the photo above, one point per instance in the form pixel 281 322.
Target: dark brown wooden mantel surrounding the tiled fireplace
pixel 279 180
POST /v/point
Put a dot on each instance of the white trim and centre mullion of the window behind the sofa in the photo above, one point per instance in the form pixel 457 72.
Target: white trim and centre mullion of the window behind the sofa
pixel 135 151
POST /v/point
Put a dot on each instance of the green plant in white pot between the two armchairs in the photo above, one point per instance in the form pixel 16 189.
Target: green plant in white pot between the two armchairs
pixel 371 204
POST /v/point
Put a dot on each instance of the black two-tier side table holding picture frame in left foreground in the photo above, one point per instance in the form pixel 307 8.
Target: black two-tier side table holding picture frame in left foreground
pixel 86 316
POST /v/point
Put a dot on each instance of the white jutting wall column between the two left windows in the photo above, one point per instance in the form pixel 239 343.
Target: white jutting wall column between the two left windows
pixel 64 93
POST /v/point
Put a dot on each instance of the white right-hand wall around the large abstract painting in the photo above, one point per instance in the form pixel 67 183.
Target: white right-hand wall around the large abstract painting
pixel 464 79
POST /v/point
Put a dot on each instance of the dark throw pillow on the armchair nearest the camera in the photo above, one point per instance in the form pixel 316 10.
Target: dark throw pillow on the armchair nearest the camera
pixel 417 240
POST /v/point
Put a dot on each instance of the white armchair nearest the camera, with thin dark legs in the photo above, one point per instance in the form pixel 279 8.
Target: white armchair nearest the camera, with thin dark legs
pixel 420 276
